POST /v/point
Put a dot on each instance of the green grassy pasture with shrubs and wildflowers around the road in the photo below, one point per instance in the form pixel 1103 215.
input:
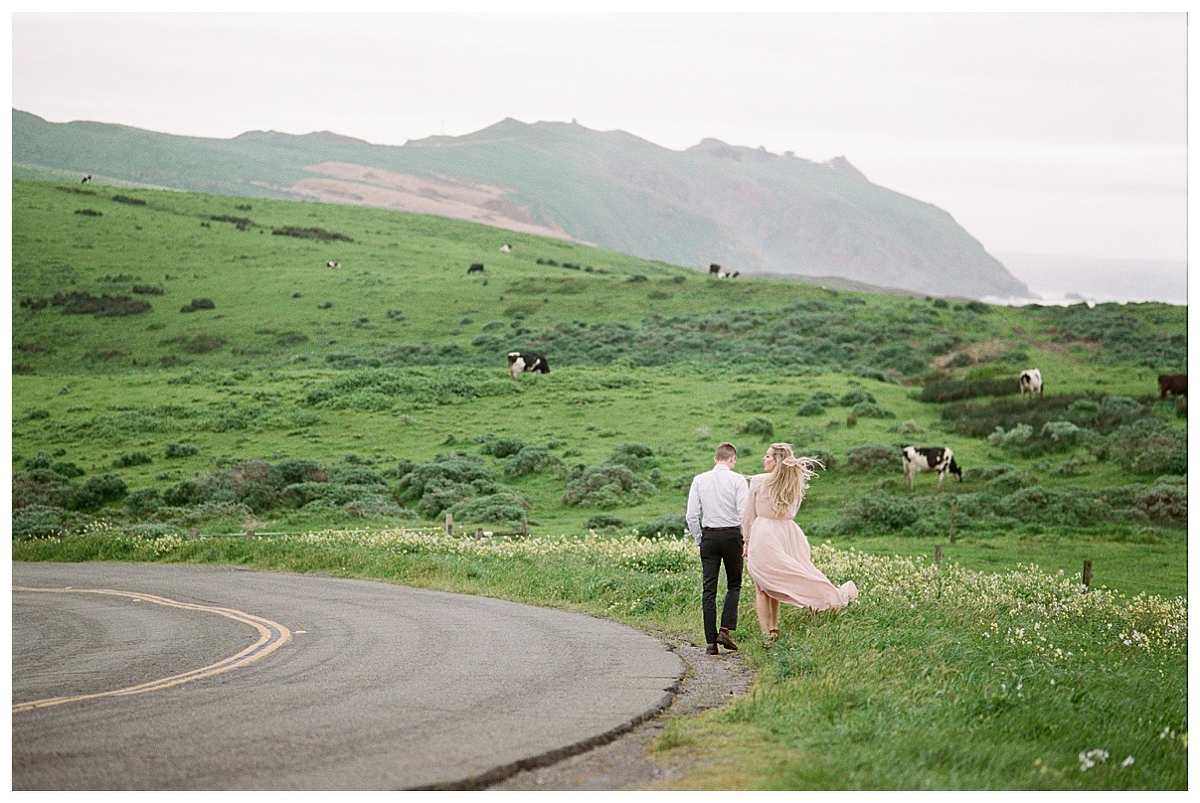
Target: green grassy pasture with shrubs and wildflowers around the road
pixel 373 371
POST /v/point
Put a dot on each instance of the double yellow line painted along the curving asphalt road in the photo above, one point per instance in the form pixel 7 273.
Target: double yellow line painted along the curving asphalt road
pixel 272 636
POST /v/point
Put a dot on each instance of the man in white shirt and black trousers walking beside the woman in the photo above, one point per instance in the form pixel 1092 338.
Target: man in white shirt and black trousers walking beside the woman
pixel 715 517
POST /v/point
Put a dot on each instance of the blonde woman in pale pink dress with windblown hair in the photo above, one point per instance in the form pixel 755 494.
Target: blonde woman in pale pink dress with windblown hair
pixel 777 550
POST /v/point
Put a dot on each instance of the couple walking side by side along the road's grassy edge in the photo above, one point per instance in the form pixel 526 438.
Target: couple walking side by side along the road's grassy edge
pixel 731 522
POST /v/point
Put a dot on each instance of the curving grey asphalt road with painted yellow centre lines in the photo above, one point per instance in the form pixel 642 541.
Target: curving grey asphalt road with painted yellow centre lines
pixel 334 684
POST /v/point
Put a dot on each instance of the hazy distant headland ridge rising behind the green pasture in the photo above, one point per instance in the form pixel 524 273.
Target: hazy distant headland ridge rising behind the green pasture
pixel 747 209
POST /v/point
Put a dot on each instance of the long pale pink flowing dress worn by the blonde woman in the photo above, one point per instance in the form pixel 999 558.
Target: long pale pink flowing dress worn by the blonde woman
pixel 779 558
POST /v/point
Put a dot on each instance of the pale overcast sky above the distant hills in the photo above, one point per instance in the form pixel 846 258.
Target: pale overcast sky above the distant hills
pixel 1041 134
